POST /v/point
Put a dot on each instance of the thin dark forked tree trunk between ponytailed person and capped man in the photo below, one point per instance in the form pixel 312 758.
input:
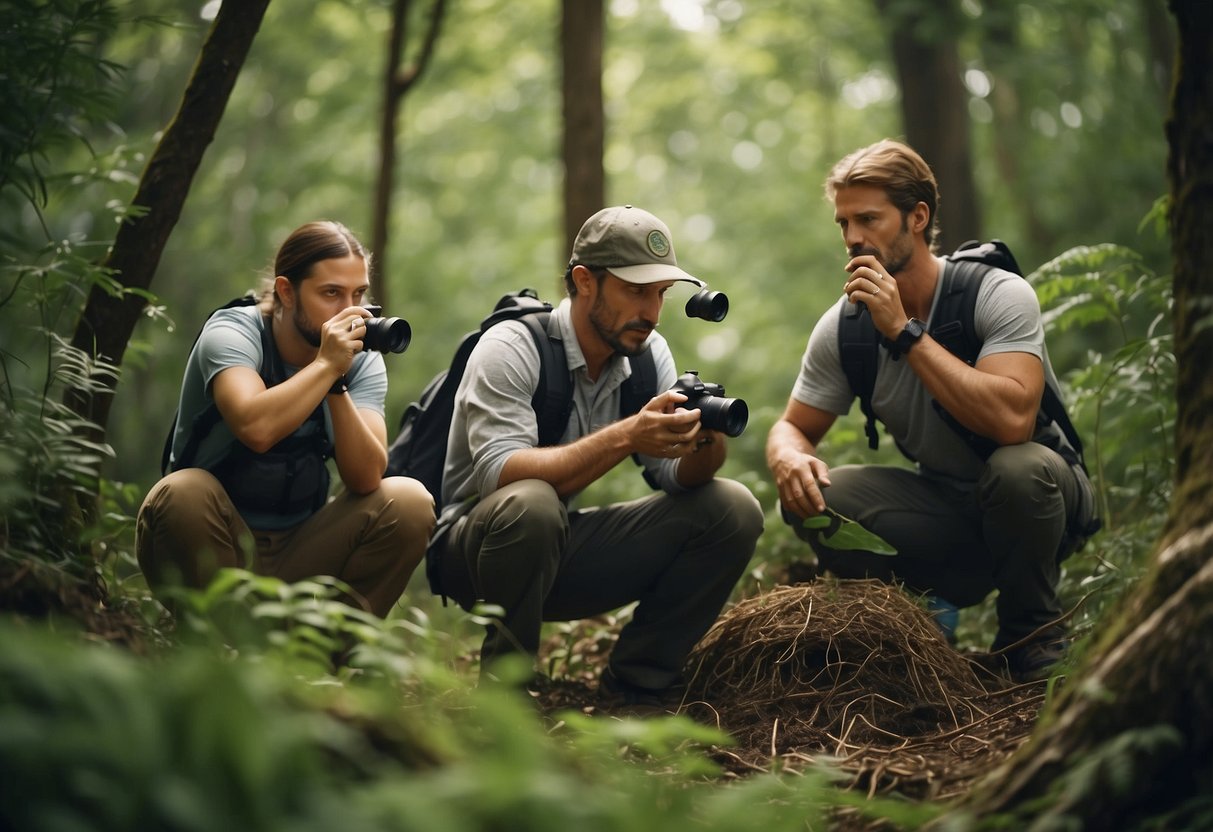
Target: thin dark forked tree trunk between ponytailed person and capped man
pixel 398 79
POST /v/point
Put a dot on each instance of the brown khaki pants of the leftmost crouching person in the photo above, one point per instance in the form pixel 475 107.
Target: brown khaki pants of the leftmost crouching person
pixel 189 531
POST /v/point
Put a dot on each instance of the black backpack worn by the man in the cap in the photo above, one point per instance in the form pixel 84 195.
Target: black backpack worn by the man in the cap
pixel 420 447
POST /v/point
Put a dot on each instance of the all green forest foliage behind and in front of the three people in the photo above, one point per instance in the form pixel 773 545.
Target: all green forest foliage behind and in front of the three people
pixel 278 708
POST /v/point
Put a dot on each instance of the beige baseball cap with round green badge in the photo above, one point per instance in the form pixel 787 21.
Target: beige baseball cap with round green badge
pixel 630 242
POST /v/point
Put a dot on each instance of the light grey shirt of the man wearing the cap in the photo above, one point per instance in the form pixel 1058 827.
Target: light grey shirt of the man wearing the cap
pixel 493 406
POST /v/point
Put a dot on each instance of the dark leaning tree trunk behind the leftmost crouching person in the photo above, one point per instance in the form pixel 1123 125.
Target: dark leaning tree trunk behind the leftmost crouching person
pixel 110 317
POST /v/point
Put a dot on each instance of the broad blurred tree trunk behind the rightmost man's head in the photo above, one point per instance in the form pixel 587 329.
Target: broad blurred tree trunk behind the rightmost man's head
pixel 935 109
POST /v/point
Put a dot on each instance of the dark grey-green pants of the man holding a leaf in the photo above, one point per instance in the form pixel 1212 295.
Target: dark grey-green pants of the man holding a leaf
pixel 1004 535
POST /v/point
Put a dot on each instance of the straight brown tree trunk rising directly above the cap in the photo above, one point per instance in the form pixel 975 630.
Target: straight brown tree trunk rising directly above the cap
pixel 582 47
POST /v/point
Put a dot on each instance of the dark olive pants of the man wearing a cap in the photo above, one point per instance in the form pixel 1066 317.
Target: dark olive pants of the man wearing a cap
pixel 680 556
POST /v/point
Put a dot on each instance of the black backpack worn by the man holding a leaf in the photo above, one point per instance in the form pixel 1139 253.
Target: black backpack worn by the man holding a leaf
pixel 859 345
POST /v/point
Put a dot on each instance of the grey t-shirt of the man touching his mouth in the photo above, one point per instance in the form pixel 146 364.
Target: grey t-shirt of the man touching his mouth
pixel 1007 320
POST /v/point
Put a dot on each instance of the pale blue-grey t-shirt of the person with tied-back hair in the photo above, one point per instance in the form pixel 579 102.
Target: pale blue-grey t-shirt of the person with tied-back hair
pixel 232 338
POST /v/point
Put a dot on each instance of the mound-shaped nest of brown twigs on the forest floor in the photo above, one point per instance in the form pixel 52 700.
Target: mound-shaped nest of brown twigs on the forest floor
pixel 855 674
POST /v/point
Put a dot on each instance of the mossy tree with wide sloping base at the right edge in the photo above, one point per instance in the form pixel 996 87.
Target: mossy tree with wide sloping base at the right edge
pixel 1131 737
